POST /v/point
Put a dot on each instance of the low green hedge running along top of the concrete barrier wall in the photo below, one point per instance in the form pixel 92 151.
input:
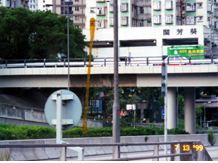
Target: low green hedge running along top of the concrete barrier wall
pixel 14 132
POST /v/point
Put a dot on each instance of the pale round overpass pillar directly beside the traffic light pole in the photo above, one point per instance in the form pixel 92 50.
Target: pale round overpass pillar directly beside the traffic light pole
pixel 171 108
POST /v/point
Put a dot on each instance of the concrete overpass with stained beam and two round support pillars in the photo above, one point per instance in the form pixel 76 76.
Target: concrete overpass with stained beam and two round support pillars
pixel 187 76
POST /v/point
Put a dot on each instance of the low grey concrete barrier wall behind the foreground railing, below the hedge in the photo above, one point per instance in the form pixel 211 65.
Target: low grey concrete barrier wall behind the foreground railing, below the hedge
pixel 22 154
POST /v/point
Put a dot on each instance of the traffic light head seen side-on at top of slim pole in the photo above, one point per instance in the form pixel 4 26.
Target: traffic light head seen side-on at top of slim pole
pixel 164 79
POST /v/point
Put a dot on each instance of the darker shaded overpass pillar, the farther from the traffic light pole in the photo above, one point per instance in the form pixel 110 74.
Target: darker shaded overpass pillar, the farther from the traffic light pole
pixel 190 117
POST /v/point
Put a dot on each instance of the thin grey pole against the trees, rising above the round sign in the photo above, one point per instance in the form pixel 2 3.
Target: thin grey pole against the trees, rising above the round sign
pixel 68 48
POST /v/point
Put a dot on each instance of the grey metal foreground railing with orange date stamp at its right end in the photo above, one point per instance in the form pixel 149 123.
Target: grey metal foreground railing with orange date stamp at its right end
pixel 179 150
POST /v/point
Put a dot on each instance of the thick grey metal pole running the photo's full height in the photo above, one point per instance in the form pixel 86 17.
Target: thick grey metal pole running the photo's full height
pixel 116 105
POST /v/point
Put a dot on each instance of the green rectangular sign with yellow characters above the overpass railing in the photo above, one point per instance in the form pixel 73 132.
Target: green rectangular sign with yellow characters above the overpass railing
pixel 186 51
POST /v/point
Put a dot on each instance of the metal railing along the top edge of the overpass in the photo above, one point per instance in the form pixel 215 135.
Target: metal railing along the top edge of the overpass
pixel 107 61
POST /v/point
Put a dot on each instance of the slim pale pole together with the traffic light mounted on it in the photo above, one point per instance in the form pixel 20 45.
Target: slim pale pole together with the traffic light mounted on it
pixel 164 92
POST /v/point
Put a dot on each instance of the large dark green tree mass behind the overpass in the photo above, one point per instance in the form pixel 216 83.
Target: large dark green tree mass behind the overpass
pixel 25 34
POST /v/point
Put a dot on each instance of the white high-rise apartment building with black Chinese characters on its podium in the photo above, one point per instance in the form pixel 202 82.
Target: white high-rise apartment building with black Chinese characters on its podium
pixel 149 27
